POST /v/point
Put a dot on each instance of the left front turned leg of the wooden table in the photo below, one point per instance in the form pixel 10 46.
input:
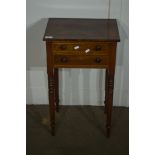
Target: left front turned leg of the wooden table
pixel 51 102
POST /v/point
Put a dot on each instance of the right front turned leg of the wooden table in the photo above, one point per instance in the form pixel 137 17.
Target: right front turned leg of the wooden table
pixel 109 102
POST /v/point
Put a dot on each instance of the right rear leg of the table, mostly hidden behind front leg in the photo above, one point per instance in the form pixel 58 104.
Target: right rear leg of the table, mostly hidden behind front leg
pixel 106 91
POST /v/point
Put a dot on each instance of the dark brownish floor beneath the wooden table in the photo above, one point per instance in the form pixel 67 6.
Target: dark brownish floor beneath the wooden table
pixel 80 130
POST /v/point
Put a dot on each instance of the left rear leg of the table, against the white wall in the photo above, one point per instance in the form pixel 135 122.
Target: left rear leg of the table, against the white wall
pixel 56 77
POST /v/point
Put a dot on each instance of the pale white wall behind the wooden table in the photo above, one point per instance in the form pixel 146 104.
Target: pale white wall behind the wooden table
pixel 77 86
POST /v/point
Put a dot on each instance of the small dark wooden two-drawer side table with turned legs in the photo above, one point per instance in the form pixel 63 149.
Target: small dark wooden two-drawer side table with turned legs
pixel 80 43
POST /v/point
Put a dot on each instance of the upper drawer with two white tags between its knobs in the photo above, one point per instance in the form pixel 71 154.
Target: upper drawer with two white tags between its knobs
pixel 81 48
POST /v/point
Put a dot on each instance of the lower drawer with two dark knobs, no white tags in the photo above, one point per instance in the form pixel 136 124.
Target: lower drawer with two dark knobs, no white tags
pixel 80 61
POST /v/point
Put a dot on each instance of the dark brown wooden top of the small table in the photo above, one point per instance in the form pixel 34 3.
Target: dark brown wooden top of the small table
pixel 81 29
